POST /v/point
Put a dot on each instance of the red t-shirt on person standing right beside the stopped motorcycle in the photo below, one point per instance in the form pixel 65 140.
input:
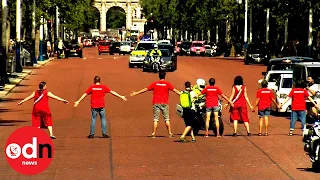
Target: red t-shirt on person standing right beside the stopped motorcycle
pixel 212 99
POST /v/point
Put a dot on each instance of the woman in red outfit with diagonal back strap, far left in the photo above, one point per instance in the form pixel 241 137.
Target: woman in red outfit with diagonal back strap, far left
pixel 41 114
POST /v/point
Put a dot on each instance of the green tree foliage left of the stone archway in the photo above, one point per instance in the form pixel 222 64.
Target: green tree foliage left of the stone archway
pixel 77 15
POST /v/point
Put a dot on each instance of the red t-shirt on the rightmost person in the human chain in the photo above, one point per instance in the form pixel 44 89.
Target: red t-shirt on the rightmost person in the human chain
pixel 298 96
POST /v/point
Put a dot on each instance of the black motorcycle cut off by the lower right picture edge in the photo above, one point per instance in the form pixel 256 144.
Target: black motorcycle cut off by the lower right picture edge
pixel 311 139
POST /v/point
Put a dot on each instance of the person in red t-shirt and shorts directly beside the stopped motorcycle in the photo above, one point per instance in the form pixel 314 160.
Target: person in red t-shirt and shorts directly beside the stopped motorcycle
pixel 212 93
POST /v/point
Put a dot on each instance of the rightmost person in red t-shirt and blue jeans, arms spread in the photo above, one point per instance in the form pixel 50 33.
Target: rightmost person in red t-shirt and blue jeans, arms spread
pixel 298 106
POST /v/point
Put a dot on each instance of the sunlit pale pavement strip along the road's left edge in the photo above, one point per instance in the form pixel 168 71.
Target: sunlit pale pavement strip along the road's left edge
pixel 16 78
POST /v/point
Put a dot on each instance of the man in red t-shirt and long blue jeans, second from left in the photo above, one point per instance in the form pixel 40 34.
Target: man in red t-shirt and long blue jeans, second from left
pixel 97 92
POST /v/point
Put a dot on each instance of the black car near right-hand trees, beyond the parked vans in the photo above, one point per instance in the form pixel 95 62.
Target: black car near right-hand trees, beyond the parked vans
pixel 257 53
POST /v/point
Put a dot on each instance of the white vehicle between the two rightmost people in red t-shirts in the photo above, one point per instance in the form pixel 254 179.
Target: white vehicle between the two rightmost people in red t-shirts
pixel 283 88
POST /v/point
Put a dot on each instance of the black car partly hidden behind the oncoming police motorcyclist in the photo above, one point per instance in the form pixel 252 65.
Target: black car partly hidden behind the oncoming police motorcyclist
pixel 168 59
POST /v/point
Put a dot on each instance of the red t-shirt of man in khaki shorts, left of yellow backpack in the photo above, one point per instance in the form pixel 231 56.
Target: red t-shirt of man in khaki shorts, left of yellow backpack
pixel 160 91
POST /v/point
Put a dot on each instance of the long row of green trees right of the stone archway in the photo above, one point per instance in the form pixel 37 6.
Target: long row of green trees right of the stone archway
pixel 195 15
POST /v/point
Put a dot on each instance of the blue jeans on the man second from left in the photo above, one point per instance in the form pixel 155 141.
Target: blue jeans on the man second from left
pixel 94 114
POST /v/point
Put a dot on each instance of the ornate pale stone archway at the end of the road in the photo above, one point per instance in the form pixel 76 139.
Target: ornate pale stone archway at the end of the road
pixel 132 9
